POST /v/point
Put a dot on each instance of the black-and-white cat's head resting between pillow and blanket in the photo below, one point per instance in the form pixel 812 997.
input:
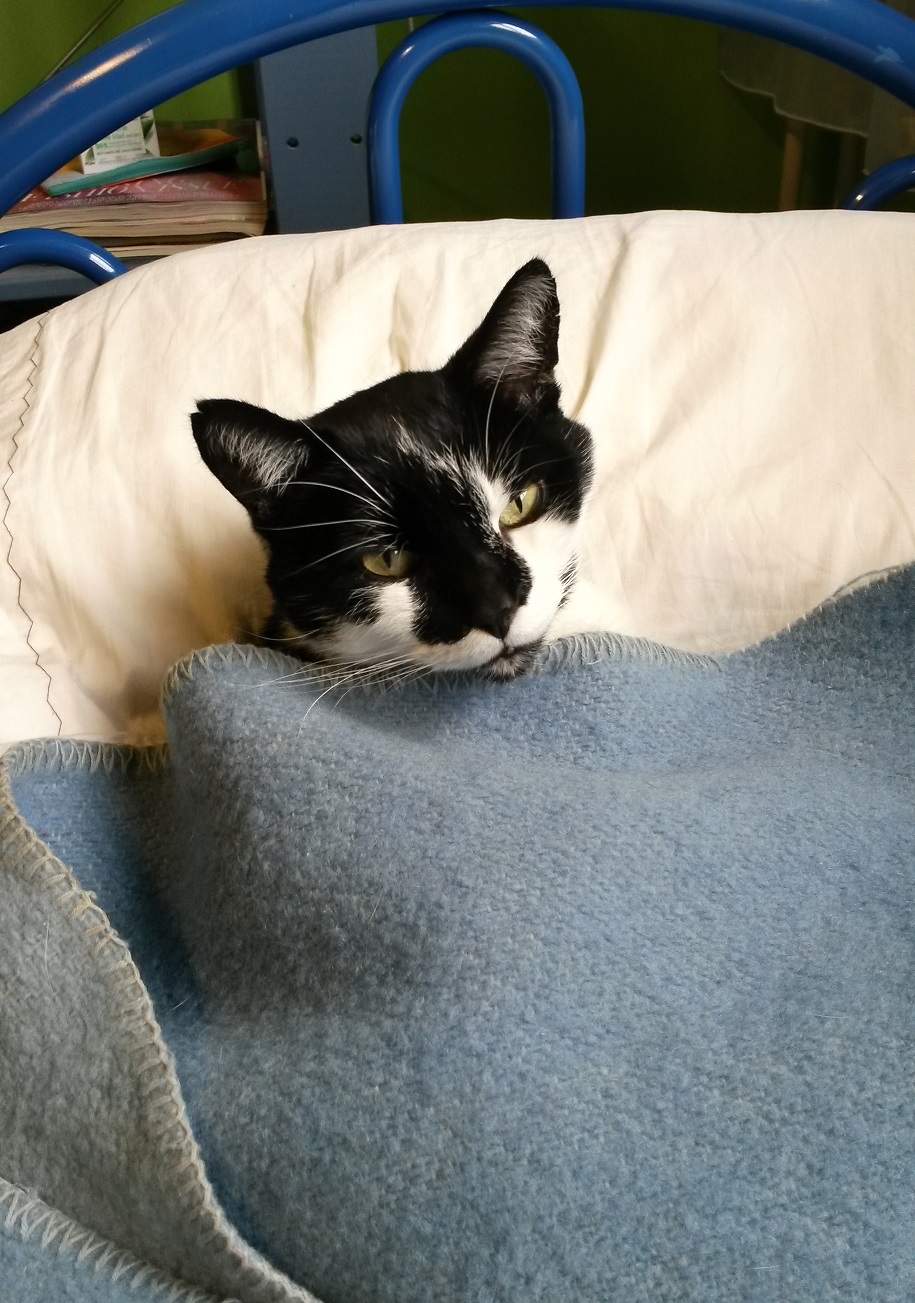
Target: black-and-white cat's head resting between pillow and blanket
pixel 431 521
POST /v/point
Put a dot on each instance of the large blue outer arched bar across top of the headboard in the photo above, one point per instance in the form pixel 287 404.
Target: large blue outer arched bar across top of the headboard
pixel 200 38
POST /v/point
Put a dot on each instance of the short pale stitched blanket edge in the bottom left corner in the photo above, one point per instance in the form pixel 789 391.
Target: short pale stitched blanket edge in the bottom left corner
pixel 27 1215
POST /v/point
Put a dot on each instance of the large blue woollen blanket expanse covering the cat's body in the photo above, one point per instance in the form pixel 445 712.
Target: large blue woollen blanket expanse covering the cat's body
pixel 596 986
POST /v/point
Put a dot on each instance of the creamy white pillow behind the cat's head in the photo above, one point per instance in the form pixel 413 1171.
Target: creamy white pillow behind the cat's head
pixel 749 380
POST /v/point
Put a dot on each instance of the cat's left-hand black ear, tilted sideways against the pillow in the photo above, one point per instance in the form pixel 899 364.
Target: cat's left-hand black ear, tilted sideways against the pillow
pixel 254 453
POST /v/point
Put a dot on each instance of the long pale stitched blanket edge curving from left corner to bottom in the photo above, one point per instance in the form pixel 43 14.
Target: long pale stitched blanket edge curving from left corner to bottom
pixel 136 1018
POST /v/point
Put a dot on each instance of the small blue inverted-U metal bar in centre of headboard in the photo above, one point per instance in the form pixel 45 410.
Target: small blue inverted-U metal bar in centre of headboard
pixel 496 32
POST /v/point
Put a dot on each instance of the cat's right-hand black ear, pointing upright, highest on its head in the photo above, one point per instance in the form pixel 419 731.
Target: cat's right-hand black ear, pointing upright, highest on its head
pixel 516 350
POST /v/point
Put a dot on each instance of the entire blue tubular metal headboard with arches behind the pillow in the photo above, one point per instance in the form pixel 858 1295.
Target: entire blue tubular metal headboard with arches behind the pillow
pixel 201 38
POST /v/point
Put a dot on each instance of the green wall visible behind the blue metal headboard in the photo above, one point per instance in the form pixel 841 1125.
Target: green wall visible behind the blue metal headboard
pixel 664 130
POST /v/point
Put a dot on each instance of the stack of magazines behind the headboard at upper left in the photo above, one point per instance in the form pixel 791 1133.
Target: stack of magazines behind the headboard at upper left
pixel 205 186
